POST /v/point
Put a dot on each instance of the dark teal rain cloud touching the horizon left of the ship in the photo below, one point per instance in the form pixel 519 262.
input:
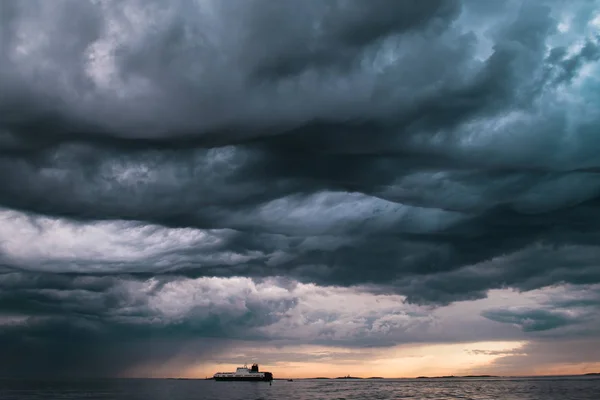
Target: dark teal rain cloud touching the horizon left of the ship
pixel 78 348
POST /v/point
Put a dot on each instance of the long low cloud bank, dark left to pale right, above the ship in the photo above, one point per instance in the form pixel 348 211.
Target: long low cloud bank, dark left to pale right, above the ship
pixel 107 326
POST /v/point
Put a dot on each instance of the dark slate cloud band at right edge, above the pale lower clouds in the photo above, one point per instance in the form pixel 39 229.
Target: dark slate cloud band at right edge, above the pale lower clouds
pixel 534 267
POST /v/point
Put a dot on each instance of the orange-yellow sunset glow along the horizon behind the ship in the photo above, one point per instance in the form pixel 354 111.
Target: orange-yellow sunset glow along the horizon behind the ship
pixel 396 362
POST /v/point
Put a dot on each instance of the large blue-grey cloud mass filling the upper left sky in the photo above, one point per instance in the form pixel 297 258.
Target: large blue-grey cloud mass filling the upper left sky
pixel 234 87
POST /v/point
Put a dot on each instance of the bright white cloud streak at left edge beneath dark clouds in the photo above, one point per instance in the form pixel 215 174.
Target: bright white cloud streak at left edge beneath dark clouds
pixel 46 243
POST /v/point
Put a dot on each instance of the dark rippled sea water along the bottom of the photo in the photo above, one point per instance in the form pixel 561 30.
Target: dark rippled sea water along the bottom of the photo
pixel 565 388
